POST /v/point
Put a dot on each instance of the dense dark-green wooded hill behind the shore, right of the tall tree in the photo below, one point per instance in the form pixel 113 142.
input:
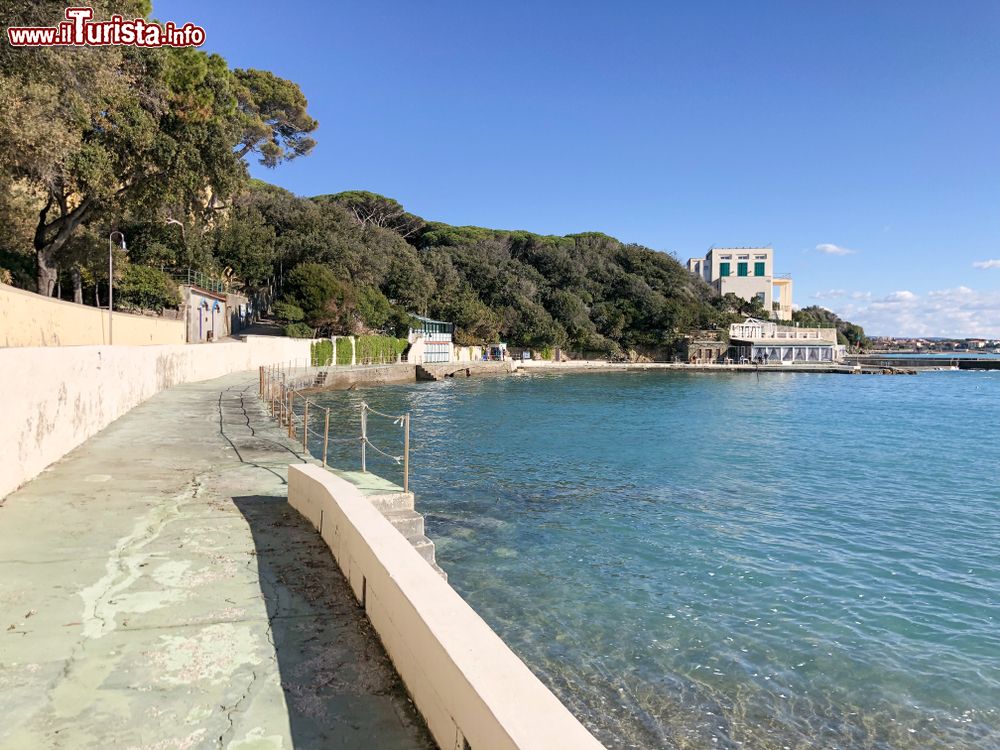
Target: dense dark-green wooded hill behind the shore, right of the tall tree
pixel 588 292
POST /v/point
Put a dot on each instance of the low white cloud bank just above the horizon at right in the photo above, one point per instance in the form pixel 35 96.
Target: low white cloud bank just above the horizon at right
pixel 960 312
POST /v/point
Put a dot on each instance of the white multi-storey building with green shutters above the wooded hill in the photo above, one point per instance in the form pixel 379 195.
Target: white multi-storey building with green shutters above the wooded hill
pixel 747 272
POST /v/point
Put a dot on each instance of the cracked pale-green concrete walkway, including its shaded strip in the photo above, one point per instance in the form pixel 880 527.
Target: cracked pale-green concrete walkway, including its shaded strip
pixel 156 591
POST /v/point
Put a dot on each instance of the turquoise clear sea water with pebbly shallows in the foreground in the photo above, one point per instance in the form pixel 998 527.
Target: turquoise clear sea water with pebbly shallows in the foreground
pixel 794 560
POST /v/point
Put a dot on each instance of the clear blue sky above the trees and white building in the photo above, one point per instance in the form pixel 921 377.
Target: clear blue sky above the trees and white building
pixel 860 139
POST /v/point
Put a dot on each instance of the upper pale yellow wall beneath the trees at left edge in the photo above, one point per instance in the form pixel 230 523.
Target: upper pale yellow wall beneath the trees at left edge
pixel 28 319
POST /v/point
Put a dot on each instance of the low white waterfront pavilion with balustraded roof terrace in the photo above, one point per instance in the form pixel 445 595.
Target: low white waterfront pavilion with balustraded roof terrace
pixel 763 341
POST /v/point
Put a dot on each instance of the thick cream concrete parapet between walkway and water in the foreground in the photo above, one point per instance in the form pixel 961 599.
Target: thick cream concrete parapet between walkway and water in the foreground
pixel 469 686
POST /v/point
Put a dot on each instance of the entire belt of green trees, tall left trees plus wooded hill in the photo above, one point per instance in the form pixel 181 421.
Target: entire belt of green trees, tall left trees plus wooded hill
pixel 154 143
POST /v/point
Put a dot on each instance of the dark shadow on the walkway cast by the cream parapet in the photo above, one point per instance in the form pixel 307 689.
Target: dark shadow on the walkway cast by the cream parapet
pixel 340 687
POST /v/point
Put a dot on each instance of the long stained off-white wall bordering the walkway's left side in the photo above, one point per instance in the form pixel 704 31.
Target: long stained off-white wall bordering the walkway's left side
pixel 57 397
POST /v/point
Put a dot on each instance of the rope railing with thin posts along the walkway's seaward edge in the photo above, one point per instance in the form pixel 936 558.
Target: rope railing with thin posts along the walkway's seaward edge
pixel 281 388
